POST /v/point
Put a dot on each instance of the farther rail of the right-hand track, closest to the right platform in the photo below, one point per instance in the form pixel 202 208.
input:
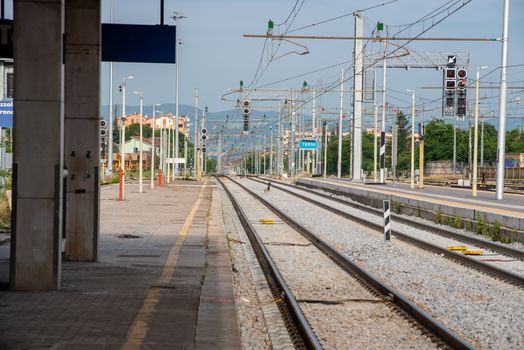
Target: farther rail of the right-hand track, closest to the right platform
pixel 496 247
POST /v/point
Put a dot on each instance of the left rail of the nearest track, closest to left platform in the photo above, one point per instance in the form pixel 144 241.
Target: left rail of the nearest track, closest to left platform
pixel 300 322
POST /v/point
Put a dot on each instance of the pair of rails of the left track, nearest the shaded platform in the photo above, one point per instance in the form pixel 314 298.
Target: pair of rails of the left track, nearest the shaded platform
pixel 385 294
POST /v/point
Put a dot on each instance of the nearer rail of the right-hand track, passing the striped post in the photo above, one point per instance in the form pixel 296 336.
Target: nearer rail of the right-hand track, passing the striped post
pixel 494 271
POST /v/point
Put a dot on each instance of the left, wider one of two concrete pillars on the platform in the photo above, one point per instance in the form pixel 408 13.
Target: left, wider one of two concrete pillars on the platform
pixel 39 144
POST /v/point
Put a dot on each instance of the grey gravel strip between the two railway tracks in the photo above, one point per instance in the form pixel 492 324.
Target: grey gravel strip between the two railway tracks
pixel 484 310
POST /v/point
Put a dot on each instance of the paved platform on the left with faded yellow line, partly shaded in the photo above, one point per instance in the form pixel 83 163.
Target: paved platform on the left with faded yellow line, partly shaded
pixel 163 280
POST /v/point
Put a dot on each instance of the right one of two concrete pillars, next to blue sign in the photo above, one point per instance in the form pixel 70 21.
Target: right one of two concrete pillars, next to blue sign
pixel 82 118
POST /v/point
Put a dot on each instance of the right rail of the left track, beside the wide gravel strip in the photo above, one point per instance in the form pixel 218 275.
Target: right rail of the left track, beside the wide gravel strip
pixel 435 327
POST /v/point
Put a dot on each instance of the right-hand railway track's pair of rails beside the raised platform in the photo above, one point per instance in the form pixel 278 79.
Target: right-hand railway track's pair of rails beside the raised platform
pixel 491 270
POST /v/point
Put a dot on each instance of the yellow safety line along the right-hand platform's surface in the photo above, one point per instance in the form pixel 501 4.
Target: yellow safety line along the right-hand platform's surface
pixel 433 198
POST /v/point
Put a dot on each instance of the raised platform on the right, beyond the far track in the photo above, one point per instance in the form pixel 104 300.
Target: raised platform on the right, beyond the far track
pixel 433 199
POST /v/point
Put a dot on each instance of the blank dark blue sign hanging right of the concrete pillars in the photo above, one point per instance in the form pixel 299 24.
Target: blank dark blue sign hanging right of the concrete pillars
pixel 138 43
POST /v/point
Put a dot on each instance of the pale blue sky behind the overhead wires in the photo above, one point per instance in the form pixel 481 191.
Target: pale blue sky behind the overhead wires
pixel 215 56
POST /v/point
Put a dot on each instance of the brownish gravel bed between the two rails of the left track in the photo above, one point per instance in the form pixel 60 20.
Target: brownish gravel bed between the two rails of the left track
pixel 342 312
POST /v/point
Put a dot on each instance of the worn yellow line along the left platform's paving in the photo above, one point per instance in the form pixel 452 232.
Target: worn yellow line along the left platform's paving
pixel 140 326
